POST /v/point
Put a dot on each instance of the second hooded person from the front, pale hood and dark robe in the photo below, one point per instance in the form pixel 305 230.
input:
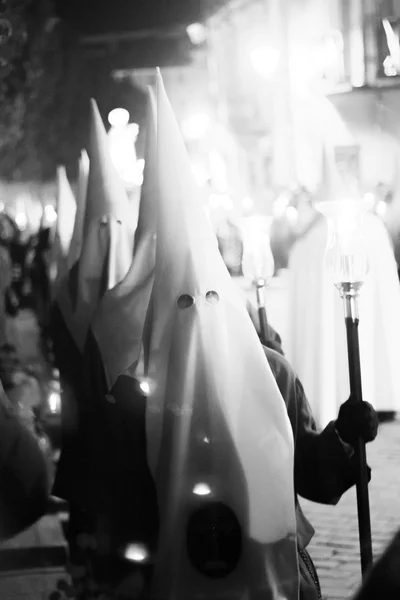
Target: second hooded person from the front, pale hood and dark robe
pixel 121 492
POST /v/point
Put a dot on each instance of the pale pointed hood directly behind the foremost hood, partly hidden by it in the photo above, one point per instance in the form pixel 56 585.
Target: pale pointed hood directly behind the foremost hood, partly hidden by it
pixel 119 320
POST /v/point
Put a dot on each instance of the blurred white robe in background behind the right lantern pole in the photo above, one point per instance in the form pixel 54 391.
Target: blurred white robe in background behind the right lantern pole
pixel 316 342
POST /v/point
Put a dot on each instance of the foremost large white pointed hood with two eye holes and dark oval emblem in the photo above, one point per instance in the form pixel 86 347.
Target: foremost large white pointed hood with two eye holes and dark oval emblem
pixel 220 444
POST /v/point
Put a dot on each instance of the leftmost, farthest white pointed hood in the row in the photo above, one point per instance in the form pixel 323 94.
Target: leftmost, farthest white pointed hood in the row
pixel 66 210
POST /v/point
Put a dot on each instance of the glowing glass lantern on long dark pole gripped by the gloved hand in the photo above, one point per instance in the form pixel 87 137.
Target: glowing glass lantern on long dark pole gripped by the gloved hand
pixel 347 262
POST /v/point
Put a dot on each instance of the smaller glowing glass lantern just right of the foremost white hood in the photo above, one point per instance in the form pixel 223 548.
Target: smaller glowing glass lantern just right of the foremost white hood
pixel 258 263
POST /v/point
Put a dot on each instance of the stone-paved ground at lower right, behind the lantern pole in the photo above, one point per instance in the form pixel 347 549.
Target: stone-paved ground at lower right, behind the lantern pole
pixel 335 548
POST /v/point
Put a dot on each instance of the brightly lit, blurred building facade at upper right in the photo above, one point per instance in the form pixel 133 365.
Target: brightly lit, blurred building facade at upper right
pixel 272 81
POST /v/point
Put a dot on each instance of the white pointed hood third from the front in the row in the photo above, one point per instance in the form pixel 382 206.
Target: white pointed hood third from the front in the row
pixel 108 234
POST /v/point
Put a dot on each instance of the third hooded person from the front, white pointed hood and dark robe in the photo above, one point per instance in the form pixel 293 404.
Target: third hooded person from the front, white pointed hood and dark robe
pixel 102 248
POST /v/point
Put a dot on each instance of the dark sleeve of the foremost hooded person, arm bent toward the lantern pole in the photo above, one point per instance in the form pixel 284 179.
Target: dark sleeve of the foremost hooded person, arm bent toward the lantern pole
pixel 324 466
